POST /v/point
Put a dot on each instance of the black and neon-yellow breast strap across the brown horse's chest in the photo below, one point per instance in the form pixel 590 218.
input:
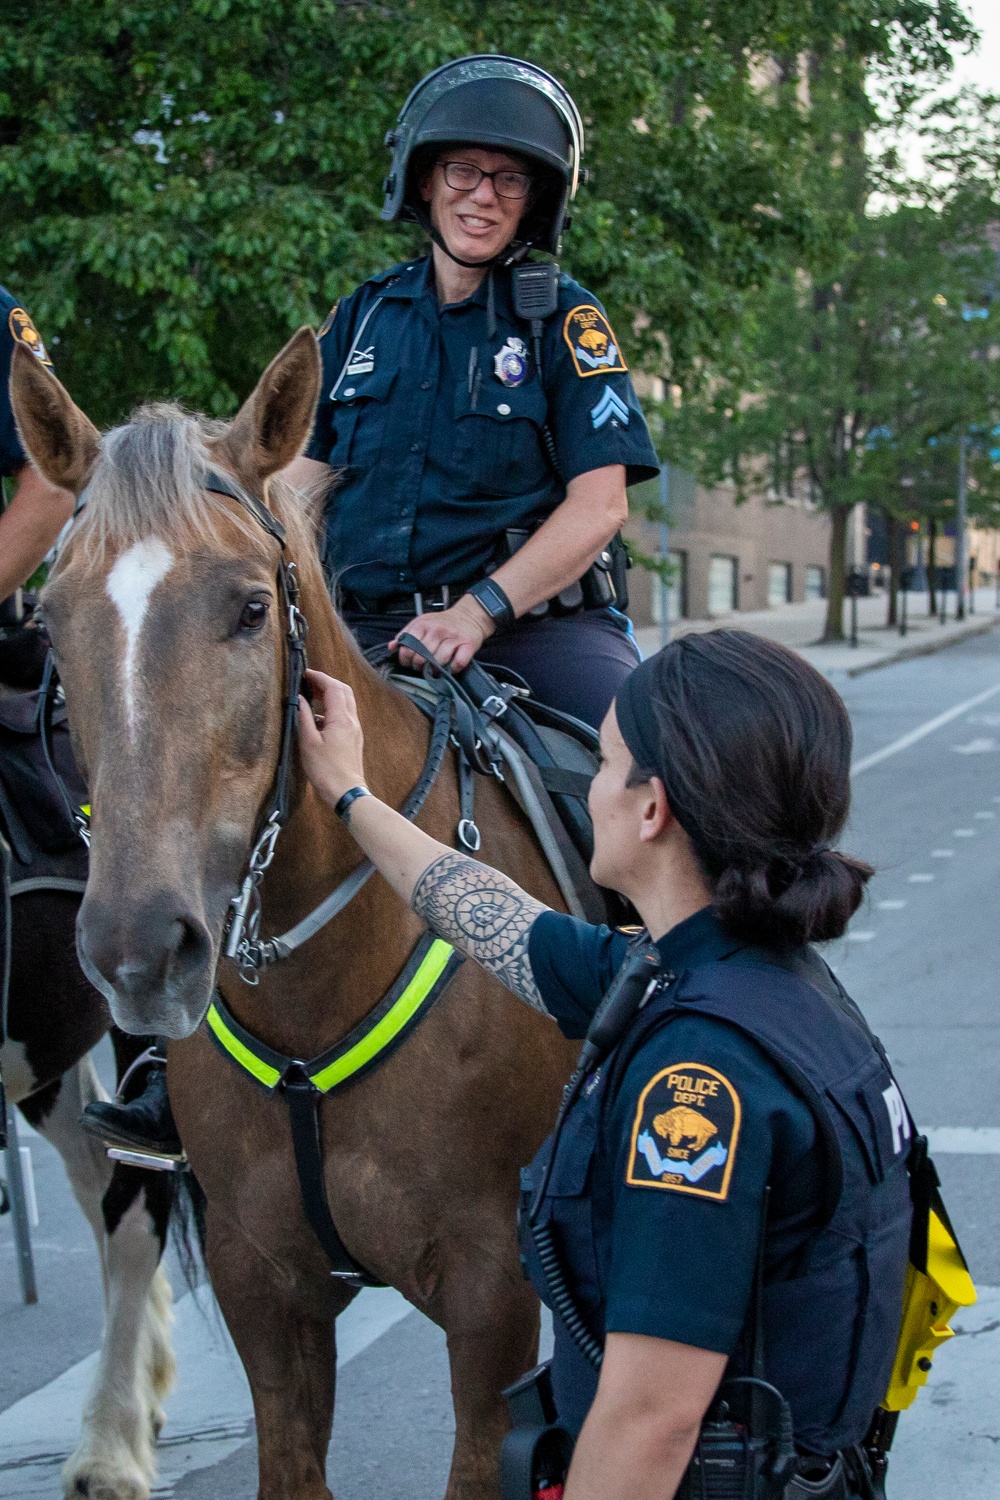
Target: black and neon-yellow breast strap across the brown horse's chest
pixel 424 980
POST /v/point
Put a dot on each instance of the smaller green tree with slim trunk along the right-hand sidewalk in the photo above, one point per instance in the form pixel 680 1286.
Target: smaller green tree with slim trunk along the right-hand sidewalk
pixel 855 383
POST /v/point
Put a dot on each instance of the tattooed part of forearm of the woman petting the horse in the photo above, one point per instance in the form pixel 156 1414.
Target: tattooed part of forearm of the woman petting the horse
pixel 484 916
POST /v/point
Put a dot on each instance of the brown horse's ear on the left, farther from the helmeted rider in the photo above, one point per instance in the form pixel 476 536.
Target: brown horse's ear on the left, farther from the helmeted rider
pixel 56 436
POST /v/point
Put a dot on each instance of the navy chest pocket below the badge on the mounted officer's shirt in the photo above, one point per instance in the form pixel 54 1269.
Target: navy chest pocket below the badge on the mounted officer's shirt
pixel 499 446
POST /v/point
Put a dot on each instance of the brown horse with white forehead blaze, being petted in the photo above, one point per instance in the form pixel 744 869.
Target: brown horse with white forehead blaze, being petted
pixel 170 640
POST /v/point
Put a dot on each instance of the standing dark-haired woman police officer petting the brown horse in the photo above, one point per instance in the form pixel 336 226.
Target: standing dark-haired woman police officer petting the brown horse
pixel 726 1196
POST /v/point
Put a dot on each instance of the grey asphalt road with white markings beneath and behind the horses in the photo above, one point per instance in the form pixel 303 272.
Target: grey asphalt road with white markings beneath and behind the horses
pixel 921 958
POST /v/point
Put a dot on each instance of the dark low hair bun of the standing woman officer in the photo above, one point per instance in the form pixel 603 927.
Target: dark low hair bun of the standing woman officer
pixel 792 902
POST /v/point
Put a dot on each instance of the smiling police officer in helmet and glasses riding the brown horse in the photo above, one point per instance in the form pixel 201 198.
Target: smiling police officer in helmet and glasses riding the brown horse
pixel 478 409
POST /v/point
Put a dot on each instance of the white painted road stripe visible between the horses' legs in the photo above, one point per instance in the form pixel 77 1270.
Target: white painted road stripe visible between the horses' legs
pixel 209 1414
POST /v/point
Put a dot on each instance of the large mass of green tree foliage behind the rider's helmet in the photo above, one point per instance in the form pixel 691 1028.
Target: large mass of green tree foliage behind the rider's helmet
pixel 184 182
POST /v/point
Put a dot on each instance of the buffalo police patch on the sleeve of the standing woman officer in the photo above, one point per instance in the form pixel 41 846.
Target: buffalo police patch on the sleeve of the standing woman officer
pixel 686 1132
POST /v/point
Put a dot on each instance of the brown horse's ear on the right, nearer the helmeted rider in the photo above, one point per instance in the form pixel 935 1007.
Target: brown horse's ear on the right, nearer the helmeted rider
pixel 275 422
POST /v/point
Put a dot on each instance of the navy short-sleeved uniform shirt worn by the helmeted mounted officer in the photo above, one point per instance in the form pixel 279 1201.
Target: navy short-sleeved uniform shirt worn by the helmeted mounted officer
pixel 436 425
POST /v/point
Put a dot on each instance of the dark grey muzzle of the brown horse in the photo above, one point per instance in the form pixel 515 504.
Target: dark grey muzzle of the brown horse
pixel 154 961
